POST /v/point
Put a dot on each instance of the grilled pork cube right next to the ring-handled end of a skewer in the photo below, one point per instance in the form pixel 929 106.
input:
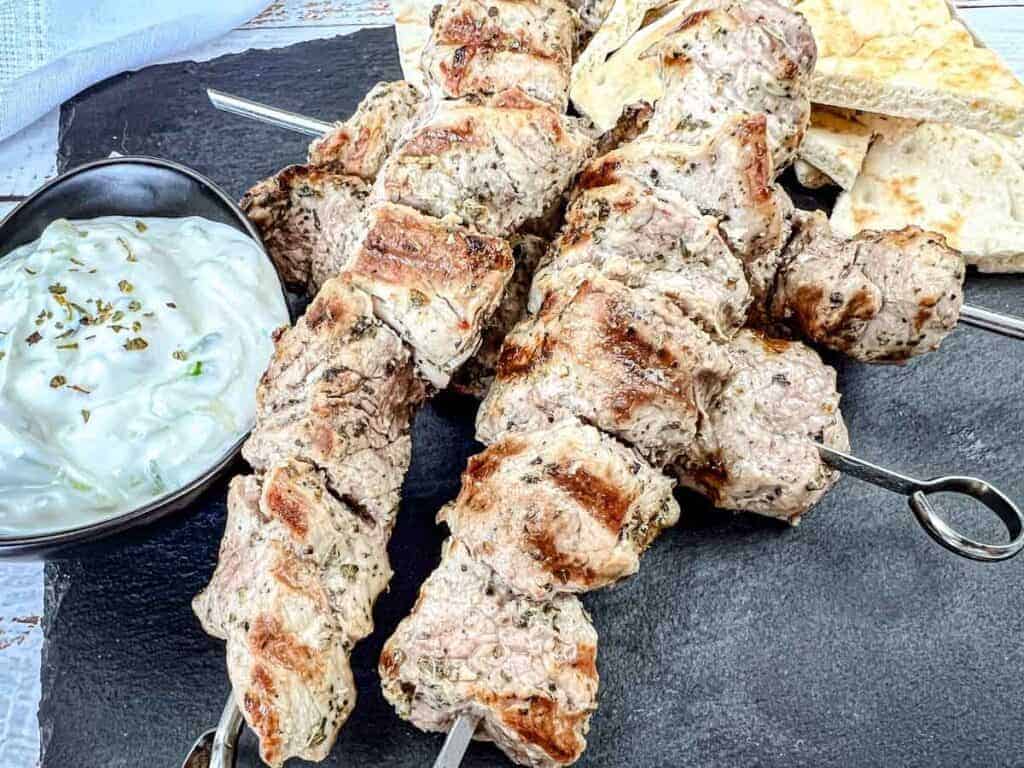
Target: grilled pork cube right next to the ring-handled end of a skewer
pixel 756 452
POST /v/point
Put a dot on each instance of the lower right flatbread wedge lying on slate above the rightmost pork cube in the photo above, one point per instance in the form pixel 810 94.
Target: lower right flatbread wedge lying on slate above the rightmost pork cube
pixel 963 184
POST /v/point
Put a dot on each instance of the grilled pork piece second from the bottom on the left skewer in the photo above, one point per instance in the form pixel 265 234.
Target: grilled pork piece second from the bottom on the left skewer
pixel 339 394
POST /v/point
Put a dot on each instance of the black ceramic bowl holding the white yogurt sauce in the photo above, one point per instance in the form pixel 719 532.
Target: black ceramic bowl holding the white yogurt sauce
pixel 121 187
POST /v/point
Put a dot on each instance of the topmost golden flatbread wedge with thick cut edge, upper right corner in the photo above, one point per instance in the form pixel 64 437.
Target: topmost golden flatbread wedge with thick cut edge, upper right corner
pixel 911 59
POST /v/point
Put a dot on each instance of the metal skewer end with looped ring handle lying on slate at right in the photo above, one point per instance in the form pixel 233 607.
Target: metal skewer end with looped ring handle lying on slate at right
pixel 918 493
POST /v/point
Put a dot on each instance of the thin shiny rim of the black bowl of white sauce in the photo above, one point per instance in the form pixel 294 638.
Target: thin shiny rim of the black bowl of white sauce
pixel 23 545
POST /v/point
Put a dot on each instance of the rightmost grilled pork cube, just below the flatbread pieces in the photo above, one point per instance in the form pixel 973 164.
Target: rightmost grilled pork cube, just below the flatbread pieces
pixel 880 297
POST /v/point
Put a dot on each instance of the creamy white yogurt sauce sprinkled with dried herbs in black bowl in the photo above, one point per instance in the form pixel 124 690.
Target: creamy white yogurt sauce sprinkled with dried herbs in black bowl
pixel 131 351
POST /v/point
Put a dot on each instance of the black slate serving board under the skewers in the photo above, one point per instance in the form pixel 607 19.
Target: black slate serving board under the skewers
pixel 849 642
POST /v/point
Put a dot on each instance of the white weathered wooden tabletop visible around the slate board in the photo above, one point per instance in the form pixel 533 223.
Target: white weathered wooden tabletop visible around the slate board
pixel 29 158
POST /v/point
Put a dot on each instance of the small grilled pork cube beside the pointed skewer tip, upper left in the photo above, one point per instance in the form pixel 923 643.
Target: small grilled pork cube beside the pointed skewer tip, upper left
pixel 360 146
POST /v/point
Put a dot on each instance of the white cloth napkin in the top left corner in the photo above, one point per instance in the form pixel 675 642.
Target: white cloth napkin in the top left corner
pixel 53 50
